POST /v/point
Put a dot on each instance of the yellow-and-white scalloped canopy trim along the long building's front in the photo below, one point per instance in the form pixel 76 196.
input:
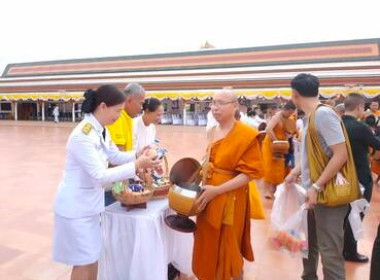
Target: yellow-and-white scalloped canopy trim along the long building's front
pixel 270 94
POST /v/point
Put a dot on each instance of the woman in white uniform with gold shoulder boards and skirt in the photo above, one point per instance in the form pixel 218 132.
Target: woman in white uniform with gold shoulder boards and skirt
pixel 80 197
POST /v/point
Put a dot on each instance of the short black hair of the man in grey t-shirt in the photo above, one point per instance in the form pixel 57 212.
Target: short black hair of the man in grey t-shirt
pixel 306 85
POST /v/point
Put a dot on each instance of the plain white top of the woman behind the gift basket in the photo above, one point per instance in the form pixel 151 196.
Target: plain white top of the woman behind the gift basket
pixel 142 135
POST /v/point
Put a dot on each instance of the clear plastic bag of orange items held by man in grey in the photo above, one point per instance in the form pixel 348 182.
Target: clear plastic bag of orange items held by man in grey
pixel 289 221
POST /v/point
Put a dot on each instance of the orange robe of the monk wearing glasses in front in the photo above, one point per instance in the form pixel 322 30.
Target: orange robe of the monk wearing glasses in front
pixel 222 237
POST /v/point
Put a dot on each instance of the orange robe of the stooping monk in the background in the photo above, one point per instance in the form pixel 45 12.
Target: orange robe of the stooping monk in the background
pixel 274 168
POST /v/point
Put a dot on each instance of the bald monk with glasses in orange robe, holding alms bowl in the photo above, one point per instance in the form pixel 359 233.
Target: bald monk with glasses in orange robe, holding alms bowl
pixel 222 238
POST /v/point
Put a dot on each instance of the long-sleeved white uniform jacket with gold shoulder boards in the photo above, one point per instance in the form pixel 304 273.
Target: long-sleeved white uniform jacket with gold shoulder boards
pixel 81 192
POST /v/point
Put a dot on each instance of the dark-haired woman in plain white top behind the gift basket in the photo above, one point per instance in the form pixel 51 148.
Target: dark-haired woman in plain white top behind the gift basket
pixel 144 129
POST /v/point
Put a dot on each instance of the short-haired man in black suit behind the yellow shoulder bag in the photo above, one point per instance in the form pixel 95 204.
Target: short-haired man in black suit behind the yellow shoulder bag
pixel 361 138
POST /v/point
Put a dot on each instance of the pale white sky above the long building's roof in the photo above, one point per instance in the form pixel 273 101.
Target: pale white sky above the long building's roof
pixel 40 30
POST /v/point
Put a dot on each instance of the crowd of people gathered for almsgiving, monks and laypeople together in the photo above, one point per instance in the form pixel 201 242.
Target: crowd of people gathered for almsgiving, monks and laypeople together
pixel 109 145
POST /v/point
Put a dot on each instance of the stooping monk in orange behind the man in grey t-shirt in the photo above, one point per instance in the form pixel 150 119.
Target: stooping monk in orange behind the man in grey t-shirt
pixel 277 129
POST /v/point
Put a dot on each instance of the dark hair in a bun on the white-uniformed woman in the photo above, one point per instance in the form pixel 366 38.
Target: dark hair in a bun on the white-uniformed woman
pixel 108 94
